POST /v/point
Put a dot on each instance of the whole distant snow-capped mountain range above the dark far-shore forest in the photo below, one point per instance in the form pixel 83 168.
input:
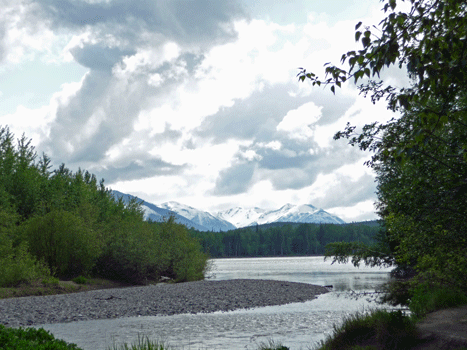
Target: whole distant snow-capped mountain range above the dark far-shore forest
pixel 232 218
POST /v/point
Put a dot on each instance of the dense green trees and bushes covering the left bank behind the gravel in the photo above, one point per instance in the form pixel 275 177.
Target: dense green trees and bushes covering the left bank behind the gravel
pixel 66 224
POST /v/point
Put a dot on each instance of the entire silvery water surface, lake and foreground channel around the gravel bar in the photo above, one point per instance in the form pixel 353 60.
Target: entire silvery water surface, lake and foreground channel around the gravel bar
pixel 297 325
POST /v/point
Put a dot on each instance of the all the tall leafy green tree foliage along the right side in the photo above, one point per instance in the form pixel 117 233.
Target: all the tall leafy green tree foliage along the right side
pixel 420 158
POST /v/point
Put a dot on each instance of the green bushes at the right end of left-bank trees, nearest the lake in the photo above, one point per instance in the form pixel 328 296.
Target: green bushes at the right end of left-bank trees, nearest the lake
pixel 138 252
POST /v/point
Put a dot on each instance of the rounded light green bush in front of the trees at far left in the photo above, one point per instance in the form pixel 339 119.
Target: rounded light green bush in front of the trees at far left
pixel 66 244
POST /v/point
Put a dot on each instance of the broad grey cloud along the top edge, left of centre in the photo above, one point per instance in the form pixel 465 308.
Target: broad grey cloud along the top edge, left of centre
pixel 185 21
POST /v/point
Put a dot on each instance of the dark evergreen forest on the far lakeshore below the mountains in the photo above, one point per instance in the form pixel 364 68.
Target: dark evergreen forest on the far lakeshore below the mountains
pixel 284 239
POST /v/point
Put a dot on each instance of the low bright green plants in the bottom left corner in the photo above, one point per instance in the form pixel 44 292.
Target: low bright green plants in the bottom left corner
pixel 31 339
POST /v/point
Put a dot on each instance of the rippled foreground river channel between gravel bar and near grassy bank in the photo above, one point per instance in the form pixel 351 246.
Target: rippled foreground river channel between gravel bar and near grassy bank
pixel 298 325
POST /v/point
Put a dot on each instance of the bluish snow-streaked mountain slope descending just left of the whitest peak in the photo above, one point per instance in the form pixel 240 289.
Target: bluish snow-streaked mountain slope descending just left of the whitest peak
pixel 199 217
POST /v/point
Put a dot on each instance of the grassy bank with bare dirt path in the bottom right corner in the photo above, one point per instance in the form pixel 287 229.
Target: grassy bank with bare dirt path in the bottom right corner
pixel 440 330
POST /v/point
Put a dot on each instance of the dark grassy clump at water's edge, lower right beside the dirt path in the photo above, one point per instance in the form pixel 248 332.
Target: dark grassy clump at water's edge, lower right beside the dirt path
pixel 377 330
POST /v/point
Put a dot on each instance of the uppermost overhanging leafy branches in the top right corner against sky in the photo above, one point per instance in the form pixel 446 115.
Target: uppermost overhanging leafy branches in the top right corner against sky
pixel 429 39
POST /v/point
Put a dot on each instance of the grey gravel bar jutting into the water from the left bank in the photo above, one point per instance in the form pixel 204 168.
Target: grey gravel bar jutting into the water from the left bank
pixel 160 299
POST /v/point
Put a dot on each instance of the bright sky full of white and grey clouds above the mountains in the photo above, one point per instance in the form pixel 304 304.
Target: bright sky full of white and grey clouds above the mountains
pixel 194 101
